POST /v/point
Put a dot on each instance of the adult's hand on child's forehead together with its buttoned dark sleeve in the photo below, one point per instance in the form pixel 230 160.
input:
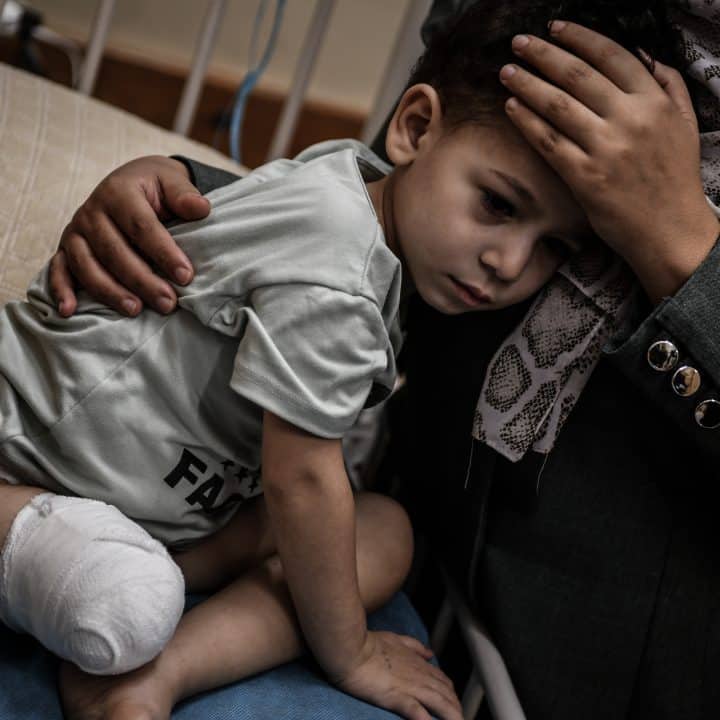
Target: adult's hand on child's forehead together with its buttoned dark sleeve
pixel 626 142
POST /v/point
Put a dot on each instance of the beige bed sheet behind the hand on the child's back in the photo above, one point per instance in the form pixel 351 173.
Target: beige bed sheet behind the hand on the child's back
pixel 55 146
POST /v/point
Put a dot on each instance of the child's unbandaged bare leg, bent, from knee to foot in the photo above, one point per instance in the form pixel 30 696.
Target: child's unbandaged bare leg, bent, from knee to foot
pixel 248 627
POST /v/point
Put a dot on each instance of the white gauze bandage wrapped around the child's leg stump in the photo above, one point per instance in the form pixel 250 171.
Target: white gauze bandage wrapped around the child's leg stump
pixel 90 584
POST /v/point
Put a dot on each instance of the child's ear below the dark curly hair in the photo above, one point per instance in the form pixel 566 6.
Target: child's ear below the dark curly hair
pixel 416 121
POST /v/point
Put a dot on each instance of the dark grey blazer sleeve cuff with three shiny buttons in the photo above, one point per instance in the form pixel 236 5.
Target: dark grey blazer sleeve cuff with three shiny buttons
pixel 673 356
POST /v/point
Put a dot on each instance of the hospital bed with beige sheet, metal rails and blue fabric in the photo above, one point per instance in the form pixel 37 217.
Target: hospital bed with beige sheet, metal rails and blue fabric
pixel 55 145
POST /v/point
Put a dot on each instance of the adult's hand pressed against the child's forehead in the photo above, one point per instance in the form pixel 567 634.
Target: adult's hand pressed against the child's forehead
pixel 625 141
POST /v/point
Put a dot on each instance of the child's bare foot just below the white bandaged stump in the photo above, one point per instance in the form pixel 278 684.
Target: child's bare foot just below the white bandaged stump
pixel 137 695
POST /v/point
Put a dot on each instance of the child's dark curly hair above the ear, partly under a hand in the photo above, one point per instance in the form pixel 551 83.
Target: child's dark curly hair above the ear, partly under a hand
pixel 462 60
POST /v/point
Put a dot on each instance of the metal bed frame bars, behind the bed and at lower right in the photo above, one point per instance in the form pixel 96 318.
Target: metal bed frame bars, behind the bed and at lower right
pixel 489 677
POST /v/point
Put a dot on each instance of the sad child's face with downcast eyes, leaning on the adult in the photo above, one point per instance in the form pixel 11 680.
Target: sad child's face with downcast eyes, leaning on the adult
pixel 479 220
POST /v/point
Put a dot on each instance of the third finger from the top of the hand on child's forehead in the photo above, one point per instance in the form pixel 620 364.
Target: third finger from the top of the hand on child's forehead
pixel 562 110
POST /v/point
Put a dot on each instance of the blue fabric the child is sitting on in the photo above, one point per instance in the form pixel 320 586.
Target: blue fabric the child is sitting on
pixel 296 691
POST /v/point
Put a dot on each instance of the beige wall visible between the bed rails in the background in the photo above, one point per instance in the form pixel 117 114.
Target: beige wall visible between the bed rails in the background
pixel 349 68
